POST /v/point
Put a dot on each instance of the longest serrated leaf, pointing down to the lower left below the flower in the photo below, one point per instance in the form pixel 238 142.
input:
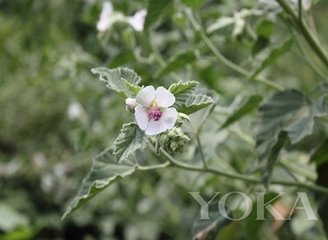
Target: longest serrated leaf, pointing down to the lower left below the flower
pixel 104 171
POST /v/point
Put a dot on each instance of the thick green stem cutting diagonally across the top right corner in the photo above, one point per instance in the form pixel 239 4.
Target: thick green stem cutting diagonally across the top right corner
pixel 309 37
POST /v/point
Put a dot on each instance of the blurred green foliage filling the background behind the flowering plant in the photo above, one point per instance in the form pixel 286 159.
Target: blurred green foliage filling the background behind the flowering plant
pixel 55 116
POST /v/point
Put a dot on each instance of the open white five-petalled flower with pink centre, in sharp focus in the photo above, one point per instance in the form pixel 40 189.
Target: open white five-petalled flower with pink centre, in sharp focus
pixel 153 113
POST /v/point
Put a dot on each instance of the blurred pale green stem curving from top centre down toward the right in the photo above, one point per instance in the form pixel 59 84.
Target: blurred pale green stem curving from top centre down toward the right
pixel 223 59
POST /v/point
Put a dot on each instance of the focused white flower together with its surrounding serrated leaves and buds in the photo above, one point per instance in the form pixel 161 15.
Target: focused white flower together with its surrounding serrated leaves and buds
pixel 157 114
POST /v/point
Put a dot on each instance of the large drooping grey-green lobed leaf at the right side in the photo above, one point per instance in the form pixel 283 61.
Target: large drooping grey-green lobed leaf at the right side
pixel 290 111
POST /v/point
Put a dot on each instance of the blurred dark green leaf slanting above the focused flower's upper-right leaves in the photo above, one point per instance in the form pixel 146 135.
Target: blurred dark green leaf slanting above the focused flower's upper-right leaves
pixel 177 62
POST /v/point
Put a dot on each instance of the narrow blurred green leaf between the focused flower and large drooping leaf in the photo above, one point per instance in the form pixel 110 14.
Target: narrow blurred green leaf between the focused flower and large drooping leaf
pixel 248 105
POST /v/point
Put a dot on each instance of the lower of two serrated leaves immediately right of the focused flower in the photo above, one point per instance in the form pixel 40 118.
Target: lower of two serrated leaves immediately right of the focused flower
pixel 194 103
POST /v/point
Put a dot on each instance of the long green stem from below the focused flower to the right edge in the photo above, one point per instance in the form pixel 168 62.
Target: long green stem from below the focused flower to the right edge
pixel 237 176
